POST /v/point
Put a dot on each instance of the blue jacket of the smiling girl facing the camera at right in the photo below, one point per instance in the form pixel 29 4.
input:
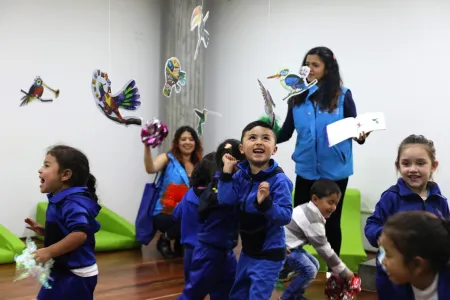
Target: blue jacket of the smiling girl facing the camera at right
pixel 400 198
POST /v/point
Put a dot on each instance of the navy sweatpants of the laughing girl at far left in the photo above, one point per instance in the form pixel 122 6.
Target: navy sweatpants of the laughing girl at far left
pixel 68 286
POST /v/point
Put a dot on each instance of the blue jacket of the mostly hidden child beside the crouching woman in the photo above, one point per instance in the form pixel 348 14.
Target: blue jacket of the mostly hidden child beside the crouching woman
pixel 186 212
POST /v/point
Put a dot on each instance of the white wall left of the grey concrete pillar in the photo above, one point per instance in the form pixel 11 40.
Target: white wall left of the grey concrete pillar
pixel 63 42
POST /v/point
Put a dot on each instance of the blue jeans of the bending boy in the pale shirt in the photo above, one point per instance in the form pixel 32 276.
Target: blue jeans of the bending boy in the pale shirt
pixel 307 266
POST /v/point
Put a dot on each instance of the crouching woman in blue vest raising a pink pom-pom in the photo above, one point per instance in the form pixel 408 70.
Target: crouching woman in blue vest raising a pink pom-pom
pixel 177 166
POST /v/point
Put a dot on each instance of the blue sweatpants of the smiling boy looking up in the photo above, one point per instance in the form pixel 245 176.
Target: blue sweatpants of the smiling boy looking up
pixel 255 278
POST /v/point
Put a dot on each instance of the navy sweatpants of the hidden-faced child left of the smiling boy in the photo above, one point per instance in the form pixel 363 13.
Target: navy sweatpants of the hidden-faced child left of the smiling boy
pixel 212 271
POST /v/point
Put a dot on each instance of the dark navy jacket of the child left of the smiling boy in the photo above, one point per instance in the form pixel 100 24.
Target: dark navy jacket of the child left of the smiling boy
pixel 218 222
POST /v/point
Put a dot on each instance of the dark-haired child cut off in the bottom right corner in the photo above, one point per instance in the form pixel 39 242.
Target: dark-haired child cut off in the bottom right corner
pixel 417 246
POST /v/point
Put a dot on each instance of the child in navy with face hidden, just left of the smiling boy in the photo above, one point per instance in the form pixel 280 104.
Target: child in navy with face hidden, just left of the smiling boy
pixel 213 266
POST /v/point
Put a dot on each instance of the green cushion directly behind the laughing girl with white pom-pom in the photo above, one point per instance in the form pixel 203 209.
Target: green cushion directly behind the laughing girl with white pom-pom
pixel 115 233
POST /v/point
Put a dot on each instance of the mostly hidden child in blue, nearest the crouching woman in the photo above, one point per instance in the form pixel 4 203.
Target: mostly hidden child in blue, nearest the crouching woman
pixel 186 211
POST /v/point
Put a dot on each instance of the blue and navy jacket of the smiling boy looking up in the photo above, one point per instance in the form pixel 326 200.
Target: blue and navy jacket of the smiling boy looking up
pixel 261 225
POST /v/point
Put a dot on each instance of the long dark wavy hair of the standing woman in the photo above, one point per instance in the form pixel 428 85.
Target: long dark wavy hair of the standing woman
pixel 330 84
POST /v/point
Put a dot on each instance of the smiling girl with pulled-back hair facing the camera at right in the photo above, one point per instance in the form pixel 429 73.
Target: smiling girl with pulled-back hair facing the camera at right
pixel 416 162
